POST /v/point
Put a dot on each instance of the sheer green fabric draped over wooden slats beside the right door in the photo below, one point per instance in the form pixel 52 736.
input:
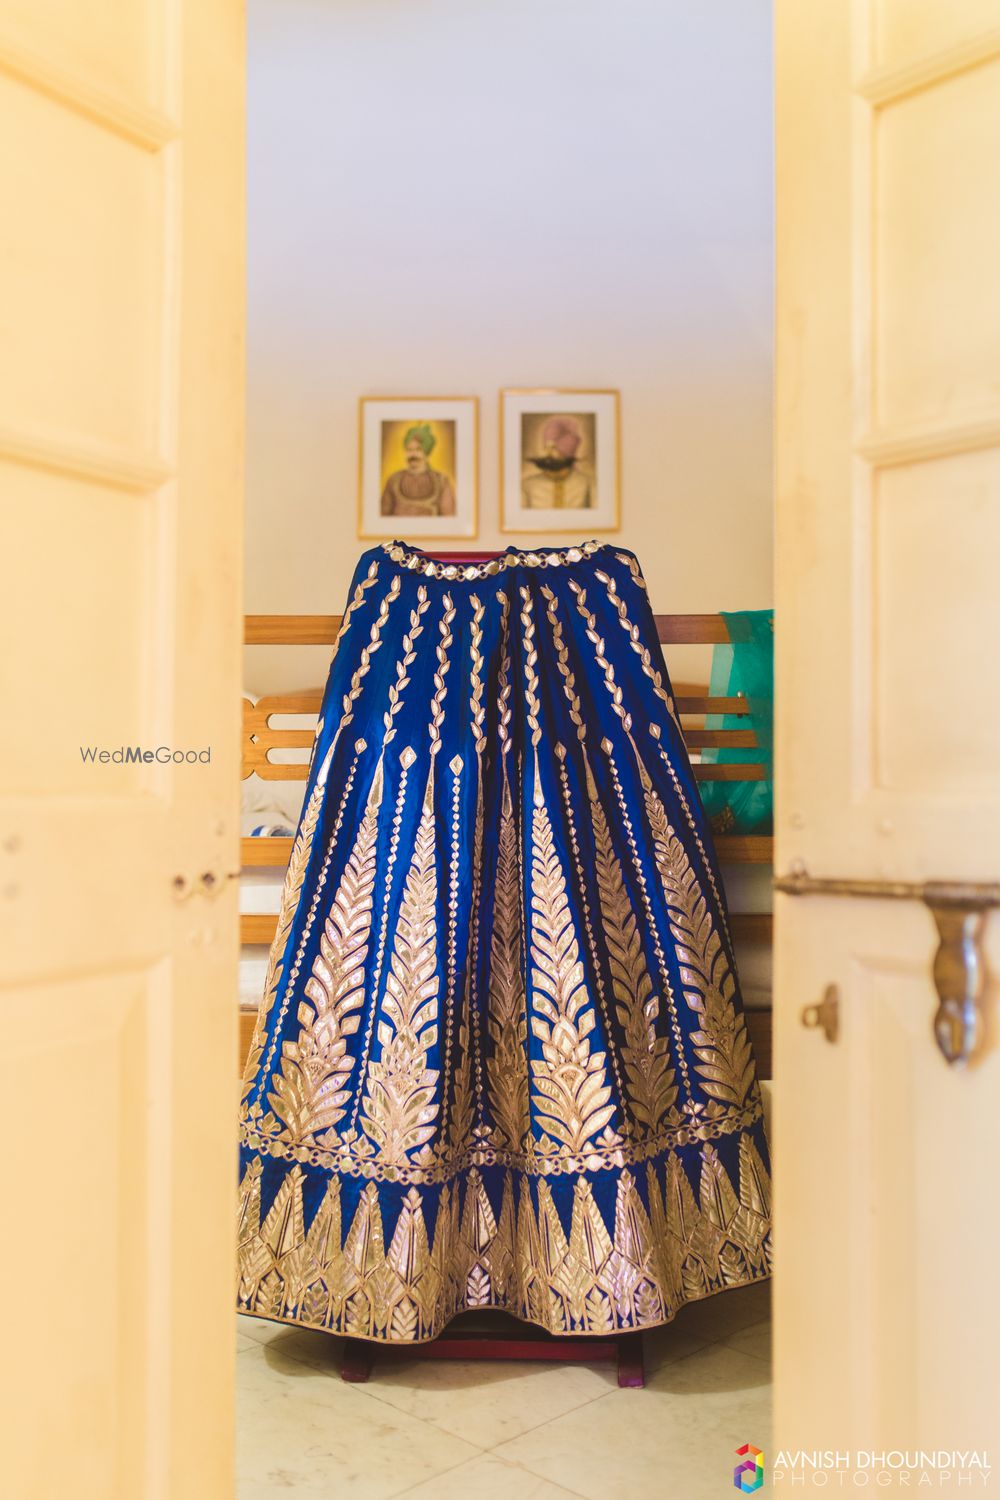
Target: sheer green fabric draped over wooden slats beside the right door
pixel 744 667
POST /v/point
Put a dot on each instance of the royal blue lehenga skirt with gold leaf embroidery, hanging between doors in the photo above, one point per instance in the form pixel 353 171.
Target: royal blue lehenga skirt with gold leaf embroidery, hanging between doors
pixel 501 1058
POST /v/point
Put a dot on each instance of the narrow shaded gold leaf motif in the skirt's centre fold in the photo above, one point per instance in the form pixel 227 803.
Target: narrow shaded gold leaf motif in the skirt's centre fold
pixel 507 1064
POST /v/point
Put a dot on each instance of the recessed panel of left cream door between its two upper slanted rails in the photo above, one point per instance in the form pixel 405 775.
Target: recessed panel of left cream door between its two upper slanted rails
pixel 88 247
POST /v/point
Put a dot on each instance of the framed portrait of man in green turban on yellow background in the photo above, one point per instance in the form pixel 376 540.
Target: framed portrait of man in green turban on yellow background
pixel 419 467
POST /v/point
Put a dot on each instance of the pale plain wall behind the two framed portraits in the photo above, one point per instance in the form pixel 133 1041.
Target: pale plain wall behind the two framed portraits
pixel 455 196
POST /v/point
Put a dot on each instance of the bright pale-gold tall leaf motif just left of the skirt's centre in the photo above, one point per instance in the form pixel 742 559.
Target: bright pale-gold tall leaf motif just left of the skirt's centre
pixel 401 1099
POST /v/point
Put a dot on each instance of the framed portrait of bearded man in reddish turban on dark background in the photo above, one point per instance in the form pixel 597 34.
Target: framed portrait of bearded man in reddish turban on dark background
pixel 560 461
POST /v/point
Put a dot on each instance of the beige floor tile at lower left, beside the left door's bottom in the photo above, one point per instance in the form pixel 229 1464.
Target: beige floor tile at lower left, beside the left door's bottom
pixel 304 1430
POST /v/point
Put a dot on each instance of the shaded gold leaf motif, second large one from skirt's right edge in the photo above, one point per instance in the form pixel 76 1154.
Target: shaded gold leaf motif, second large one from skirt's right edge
pixel 647 1057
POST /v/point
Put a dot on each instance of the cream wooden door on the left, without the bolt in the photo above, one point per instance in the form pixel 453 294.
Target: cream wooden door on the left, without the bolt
pixel 121 452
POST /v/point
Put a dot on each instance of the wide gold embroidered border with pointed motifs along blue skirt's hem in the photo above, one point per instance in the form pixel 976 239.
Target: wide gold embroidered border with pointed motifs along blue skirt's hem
pixel 400 1283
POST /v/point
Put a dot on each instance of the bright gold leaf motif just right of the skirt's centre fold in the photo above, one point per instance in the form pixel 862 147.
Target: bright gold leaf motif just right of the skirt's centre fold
pixel 570 1082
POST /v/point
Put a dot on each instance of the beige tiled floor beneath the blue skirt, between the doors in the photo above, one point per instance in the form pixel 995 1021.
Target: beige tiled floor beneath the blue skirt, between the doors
pixel 530 1432
